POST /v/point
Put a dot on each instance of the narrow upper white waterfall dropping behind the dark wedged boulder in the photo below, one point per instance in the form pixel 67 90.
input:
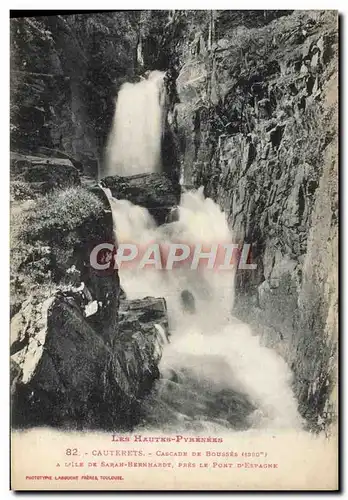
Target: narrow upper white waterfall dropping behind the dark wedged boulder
pixel 134 143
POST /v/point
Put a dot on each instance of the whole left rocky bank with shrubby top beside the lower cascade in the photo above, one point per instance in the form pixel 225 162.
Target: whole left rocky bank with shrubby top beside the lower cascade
pixel 74 364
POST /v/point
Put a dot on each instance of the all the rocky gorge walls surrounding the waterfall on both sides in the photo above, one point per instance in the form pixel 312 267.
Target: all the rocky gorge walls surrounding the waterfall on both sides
pixel 253 118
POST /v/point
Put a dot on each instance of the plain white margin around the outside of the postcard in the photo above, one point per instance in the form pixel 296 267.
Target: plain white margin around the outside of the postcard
pixel 4 197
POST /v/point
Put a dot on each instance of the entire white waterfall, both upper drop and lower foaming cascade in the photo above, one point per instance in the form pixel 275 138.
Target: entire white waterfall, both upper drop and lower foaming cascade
pixel 214 373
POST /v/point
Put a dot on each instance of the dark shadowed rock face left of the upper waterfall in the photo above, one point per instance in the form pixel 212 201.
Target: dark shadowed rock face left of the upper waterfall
pixel 65 73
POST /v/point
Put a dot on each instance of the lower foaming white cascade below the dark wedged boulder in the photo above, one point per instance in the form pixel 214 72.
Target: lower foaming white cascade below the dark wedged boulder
pixel 210 350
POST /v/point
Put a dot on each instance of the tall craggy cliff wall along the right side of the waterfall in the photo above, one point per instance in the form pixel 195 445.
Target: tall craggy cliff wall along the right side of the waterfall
pixel 257 123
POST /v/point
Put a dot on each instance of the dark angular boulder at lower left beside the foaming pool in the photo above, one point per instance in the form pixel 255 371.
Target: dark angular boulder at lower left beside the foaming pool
pixel 68 375
